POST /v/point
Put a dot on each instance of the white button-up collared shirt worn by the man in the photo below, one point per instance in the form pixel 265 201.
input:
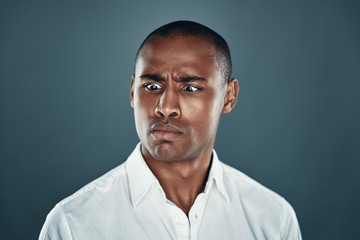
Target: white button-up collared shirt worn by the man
pixel 129 203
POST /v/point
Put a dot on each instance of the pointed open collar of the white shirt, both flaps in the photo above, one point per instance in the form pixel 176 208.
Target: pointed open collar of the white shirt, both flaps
pixel 141 178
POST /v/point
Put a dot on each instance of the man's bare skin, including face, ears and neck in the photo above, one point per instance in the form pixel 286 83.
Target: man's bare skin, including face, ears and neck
pixel 178 95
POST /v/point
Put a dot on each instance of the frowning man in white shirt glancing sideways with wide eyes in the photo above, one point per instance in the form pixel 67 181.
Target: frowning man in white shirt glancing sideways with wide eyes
pixel 173 185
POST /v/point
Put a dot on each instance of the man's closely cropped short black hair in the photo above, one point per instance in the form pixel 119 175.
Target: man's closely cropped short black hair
pixel 194 29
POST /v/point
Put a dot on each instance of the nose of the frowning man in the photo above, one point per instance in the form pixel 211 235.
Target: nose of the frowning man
pixel 168 105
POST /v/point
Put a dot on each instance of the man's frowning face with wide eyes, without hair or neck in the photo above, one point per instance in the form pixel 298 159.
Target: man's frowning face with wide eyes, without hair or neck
pixel 178 96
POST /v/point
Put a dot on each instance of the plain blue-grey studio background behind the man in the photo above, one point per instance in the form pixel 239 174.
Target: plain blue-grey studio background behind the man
pixel 65 69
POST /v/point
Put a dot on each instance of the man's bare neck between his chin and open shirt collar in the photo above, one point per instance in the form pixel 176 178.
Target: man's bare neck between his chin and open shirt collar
pixel 182 181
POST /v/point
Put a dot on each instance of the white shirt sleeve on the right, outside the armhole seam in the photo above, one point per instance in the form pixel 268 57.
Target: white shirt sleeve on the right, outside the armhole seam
pixel 291 229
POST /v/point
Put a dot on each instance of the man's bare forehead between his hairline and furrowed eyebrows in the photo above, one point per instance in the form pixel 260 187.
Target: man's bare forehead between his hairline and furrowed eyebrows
pixel 177 53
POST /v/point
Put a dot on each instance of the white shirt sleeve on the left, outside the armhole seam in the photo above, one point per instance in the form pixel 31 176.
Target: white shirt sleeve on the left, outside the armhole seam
pixel 56 226
